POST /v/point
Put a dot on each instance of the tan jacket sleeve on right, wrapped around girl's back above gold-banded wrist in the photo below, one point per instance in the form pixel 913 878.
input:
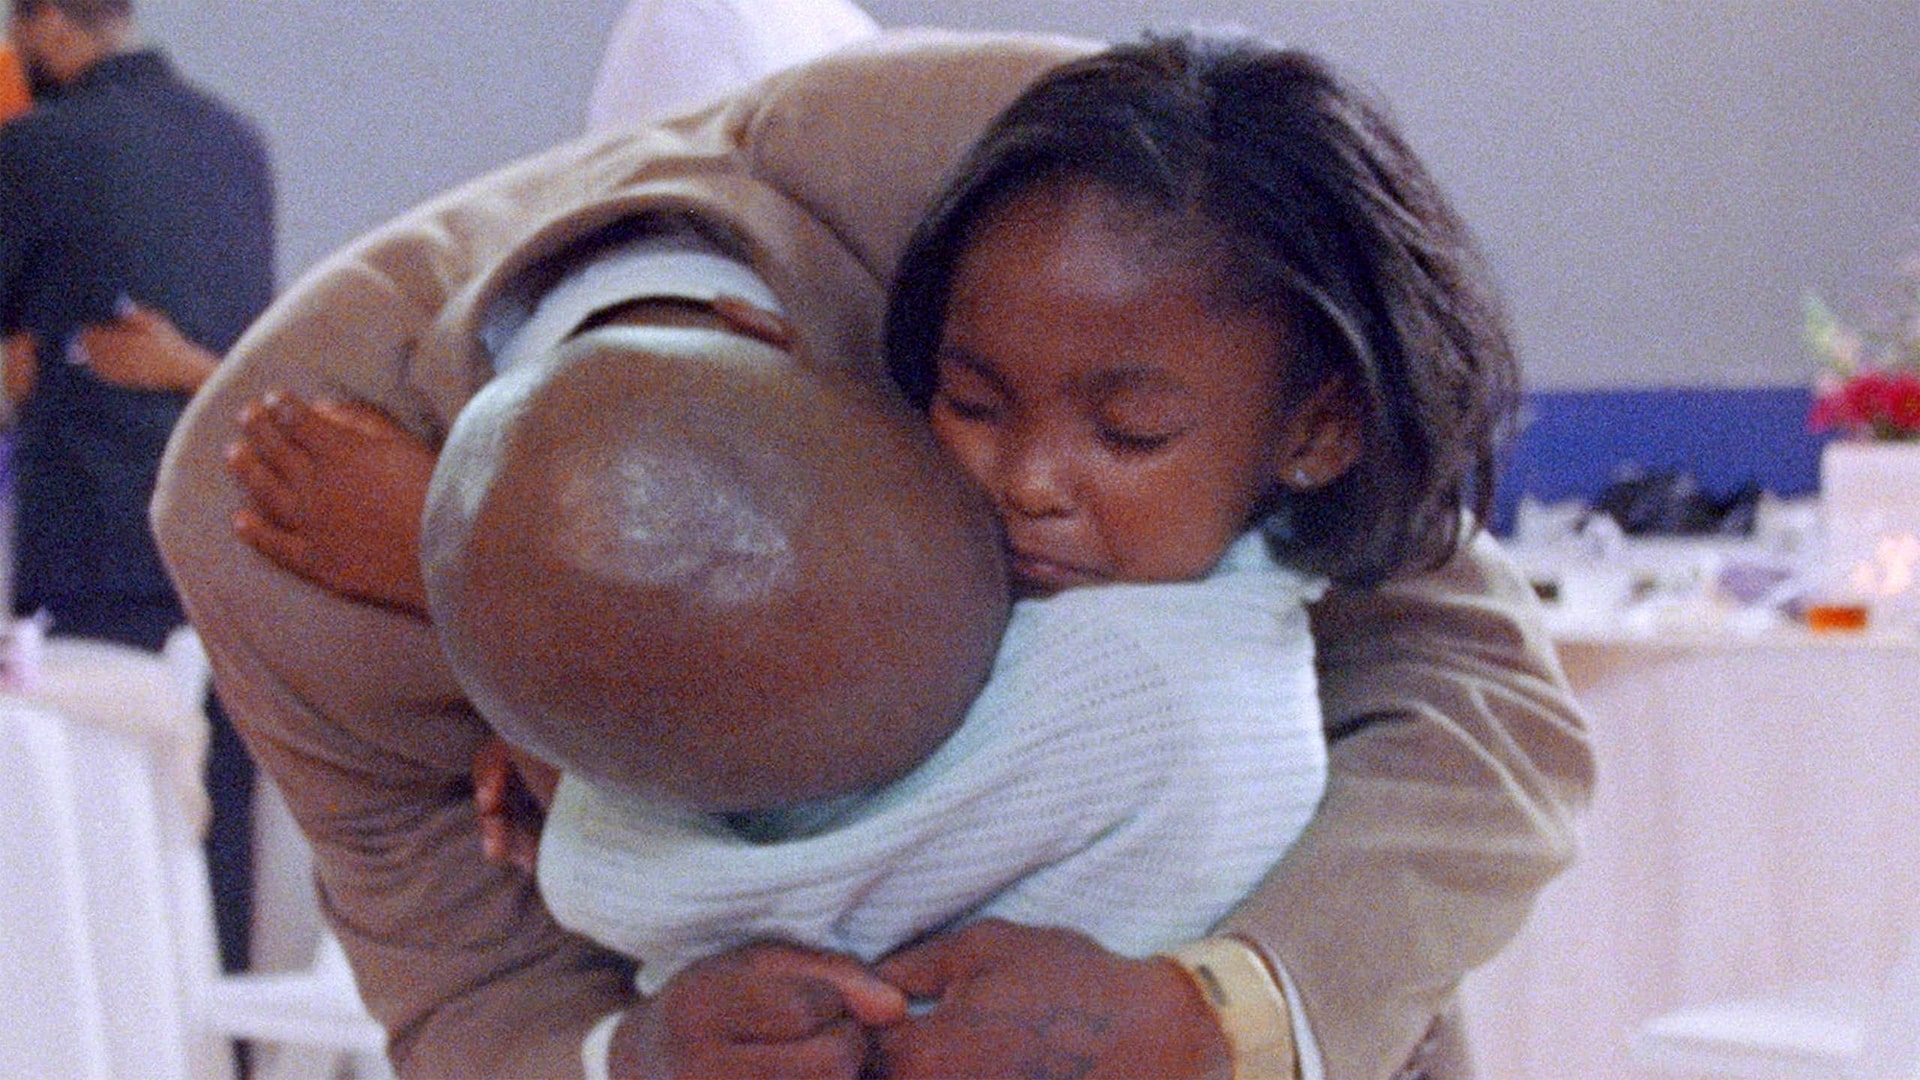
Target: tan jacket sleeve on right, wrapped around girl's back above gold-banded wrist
pixel 1458 768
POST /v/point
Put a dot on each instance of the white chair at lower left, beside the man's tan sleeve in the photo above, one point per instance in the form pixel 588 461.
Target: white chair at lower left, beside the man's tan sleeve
pixel 114 971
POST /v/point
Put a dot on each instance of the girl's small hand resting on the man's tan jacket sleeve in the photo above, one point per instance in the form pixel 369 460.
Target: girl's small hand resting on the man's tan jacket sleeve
pixel 335 495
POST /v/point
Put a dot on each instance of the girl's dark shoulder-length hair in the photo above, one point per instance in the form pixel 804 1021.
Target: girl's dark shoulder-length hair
pixel 1307 207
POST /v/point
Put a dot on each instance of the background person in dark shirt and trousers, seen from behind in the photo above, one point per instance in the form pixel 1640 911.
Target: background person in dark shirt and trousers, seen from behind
pixel 124 193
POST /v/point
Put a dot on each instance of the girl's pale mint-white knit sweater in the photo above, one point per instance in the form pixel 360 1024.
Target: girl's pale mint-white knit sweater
pixel 1140 760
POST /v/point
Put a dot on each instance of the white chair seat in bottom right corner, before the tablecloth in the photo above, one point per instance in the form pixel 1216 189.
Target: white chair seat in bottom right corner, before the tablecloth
pixel 1815 1033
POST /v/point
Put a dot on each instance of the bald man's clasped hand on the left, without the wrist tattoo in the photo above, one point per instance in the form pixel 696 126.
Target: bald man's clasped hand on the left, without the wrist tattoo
pixel 765 1010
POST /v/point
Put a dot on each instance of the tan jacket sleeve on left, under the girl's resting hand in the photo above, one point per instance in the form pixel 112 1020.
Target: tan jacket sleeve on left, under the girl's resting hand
pixel 350 708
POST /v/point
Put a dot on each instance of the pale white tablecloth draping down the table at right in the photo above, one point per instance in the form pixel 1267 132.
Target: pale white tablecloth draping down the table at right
pixel 1756 825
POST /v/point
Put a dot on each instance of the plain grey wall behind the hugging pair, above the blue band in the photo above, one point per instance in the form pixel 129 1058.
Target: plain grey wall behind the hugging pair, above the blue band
pixel 1658 182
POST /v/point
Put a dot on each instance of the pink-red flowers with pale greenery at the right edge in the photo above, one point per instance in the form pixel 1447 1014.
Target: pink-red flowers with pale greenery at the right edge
pixel 1869 385
